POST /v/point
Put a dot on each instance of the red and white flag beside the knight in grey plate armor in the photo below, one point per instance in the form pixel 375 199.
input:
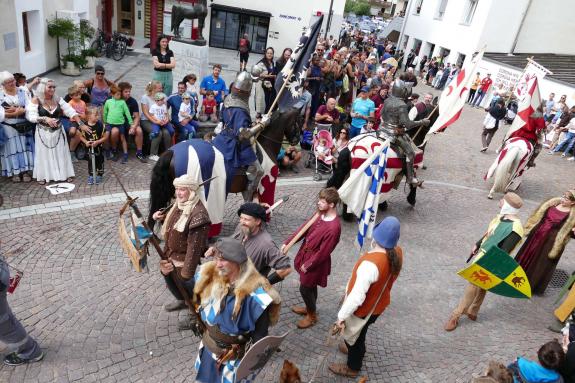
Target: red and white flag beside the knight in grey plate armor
pixel 454 96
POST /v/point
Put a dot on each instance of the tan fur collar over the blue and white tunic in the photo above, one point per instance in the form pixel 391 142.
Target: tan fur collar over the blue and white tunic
pixel 211 284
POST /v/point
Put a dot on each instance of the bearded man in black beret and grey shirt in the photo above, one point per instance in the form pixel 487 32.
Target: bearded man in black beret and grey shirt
pixel 259 245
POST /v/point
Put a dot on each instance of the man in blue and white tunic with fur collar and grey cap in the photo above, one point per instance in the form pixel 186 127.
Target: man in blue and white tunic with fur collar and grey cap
pixel 237 306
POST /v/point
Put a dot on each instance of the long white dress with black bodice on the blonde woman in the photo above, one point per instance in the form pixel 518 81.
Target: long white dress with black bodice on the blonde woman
pixel 52 160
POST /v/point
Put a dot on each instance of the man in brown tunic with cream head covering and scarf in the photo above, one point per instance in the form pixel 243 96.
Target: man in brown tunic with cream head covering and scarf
pixel 185 232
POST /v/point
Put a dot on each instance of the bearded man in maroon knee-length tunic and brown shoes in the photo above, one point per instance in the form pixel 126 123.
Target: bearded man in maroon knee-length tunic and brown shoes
pixel 313 260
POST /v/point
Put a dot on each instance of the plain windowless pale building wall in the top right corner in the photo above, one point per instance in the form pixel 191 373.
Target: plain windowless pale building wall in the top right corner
pixel 548 28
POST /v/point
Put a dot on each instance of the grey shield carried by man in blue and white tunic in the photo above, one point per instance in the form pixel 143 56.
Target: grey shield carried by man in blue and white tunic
pixel 256 358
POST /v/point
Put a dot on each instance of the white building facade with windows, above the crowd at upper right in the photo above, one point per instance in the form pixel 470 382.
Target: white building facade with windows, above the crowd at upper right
pixel 449 32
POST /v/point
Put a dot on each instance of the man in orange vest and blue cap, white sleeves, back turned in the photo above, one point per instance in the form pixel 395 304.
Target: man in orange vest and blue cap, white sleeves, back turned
pixel 367 297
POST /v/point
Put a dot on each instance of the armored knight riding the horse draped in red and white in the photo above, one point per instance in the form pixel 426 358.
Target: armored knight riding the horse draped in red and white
pixel 396 124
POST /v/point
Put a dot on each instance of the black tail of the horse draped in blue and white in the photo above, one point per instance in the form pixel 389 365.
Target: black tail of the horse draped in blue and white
pixel 161 185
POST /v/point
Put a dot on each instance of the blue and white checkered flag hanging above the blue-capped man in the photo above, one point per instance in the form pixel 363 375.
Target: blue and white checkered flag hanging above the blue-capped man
pixel 375 172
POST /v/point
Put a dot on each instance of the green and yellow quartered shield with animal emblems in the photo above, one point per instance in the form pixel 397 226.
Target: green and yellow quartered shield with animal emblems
pixel 496 272
